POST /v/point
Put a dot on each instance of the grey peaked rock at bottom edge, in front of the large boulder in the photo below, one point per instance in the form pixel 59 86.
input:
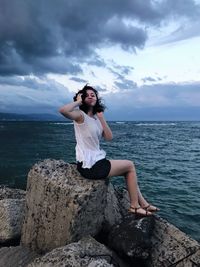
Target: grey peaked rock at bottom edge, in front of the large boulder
pixel 85 253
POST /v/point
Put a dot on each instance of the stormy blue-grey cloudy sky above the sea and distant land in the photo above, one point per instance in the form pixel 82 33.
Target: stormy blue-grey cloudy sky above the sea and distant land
pixel 142 56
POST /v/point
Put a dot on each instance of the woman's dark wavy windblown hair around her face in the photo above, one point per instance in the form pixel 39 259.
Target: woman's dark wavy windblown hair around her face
pixel 99 107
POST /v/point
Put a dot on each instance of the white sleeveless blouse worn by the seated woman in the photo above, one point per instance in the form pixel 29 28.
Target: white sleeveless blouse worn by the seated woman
pixel 88 135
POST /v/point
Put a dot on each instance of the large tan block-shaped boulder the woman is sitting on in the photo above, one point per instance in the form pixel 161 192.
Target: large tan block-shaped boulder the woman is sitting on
pixel 61 206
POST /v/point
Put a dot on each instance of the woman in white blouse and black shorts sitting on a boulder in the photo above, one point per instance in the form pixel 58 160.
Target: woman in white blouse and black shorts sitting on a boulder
pixel 89 123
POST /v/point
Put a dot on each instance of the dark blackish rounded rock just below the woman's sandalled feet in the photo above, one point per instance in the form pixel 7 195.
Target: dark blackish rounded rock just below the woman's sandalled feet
pixel 132 237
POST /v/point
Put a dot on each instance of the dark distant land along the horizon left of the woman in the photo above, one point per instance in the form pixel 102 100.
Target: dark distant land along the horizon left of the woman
pixel 30 117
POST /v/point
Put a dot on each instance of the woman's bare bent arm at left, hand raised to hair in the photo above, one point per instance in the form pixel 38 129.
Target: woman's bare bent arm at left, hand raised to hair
pixel 69 110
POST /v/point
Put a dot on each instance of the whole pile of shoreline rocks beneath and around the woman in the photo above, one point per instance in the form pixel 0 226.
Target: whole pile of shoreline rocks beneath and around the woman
pixel 63 219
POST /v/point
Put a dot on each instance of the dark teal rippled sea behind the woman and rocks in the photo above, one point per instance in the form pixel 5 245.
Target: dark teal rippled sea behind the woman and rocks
pixel 166 156
